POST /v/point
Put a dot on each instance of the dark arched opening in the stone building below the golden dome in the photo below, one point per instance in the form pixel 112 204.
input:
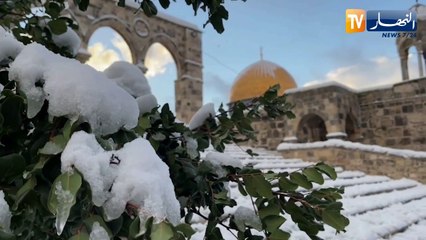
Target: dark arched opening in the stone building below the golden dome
pixel 311 129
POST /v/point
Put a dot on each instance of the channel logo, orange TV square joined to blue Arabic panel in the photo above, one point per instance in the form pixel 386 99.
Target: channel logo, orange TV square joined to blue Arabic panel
pixel 358 20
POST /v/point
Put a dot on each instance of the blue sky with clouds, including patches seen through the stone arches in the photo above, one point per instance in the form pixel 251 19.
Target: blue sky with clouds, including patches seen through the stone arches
pixel 306 37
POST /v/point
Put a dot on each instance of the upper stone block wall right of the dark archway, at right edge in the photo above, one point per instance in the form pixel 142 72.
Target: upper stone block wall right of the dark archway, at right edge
pixel 396 116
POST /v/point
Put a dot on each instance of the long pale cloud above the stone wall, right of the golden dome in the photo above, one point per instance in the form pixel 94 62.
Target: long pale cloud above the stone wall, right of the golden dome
pixel 370 73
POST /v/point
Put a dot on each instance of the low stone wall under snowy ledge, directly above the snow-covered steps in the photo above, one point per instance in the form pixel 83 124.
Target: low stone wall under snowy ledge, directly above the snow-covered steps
pixel 369 162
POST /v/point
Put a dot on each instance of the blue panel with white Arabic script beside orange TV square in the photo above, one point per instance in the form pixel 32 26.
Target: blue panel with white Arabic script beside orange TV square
pixel 391 21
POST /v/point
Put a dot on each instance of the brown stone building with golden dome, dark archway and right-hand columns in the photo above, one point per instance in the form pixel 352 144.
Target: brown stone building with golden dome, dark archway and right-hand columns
pixel 392 116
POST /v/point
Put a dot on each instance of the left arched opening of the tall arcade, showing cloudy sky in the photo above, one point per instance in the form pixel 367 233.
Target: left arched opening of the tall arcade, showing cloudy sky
pixel 107 46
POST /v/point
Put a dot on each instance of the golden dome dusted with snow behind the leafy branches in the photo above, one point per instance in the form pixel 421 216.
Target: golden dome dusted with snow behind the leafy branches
pixel 257 78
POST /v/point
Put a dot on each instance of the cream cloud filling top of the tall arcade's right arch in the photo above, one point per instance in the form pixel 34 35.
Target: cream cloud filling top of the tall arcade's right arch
pixel 157 60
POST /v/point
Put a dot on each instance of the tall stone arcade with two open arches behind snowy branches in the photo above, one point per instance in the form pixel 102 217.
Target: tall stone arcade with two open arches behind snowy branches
pixel 182 39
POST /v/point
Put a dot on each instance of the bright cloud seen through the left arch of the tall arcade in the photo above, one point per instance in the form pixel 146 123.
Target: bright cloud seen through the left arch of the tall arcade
pixel 102 56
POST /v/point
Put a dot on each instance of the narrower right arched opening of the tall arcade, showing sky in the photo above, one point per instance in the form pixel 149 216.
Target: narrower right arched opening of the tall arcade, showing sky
pixel 161 74
